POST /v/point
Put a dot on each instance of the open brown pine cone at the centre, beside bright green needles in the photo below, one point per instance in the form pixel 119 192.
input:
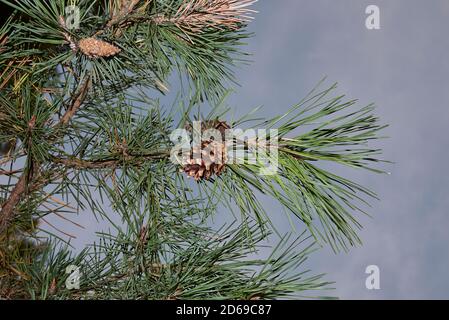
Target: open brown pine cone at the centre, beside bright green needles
pixel 210 158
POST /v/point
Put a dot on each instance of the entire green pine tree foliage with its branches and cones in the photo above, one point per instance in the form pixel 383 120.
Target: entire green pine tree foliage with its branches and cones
pixel 82 132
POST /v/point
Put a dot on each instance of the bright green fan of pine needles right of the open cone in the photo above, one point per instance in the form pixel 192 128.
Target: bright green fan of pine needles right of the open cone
pixel 332 130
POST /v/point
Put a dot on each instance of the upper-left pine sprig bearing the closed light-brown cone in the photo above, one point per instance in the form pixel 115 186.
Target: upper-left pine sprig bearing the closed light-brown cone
pixel 136 46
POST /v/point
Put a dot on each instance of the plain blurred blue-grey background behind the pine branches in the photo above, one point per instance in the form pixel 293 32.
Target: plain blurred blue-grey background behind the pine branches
pixel 404 69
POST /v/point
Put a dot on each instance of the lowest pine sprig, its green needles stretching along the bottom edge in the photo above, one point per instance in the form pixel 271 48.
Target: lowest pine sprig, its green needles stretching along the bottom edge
pixel 215 267
